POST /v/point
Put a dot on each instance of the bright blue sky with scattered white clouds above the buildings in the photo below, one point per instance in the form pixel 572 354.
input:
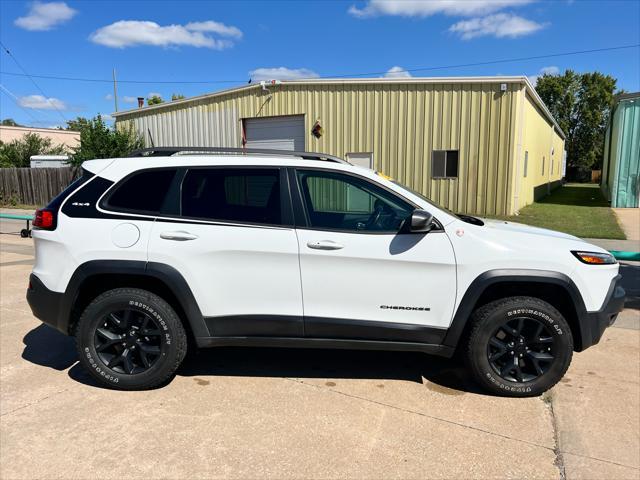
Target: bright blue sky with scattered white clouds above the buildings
pixel 226 43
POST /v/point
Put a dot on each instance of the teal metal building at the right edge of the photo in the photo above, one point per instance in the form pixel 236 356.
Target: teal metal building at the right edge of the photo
pixel 621 163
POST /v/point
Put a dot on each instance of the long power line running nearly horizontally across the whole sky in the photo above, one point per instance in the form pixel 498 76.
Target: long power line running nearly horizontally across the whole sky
pixel 418 69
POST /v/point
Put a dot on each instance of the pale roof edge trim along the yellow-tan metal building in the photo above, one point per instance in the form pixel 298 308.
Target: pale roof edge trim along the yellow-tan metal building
pixel 523 80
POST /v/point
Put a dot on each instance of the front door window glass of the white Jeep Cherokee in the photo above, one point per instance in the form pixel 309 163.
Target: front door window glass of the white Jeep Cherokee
pixel 335 201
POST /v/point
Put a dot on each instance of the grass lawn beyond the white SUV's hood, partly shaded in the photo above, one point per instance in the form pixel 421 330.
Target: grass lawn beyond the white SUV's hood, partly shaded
pixel 577 209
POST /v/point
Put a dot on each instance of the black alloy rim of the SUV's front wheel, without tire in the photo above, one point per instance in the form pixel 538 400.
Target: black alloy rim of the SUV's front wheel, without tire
pixel 521 349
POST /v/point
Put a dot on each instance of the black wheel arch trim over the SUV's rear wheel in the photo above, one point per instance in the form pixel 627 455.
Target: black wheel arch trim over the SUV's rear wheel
pixel 158 271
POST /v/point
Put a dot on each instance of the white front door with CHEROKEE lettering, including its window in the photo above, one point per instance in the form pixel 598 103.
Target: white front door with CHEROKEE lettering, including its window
pixel 361 277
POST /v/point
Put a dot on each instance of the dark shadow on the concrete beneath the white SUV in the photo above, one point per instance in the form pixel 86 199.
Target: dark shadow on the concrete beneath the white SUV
pixel 46 347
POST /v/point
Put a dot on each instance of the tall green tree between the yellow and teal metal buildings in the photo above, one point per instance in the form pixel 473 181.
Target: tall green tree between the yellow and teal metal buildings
pixel 581 104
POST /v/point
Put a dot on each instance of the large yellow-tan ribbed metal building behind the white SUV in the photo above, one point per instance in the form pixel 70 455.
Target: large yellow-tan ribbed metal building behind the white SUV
pixel 482 145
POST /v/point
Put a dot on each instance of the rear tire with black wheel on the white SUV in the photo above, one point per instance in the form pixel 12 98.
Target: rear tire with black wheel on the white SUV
pixel 130 339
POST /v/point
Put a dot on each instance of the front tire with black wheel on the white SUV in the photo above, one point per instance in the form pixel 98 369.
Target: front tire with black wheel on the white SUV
pixel 507 366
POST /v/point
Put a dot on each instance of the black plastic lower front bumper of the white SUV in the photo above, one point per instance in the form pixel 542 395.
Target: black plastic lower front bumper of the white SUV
pixel 593 324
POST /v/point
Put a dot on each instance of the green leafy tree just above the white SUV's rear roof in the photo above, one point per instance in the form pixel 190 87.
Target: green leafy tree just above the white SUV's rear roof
pixel 98 140
